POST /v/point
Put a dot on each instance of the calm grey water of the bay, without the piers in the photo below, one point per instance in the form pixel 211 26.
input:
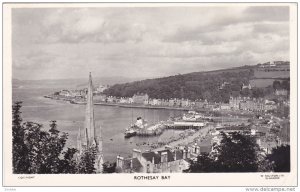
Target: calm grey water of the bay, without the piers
pixel 113 120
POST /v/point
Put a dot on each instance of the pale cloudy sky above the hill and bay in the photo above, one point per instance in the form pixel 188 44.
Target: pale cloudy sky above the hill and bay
pixel 144 42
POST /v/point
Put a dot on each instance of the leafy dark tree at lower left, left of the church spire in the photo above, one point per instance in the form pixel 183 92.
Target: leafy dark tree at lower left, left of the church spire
pixel 37 151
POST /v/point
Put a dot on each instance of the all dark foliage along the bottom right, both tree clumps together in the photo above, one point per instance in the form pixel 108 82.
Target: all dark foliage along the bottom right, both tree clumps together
pixel 240 153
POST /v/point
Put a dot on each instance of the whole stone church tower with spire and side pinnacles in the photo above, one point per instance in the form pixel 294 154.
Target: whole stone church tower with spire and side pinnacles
pixel 90 137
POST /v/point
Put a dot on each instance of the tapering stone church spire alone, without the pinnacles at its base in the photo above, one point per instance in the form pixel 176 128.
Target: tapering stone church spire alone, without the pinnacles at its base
pixel 89 115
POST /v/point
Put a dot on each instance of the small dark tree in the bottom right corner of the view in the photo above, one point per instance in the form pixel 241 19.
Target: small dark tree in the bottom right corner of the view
pixel 280 157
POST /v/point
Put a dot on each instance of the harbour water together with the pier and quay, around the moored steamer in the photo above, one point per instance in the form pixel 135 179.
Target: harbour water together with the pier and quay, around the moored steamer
pixel 114 120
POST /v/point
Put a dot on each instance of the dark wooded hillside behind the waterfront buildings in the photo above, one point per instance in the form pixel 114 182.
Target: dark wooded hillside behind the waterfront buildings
pixel 216 86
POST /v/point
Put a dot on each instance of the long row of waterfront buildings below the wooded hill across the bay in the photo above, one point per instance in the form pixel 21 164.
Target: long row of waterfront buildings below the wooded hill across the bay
pixel 235 103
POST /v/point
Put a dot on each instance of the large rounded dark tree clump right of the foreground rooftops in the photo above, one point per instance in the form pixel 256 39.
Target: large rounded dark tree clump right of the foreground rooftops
pixel 236 153
